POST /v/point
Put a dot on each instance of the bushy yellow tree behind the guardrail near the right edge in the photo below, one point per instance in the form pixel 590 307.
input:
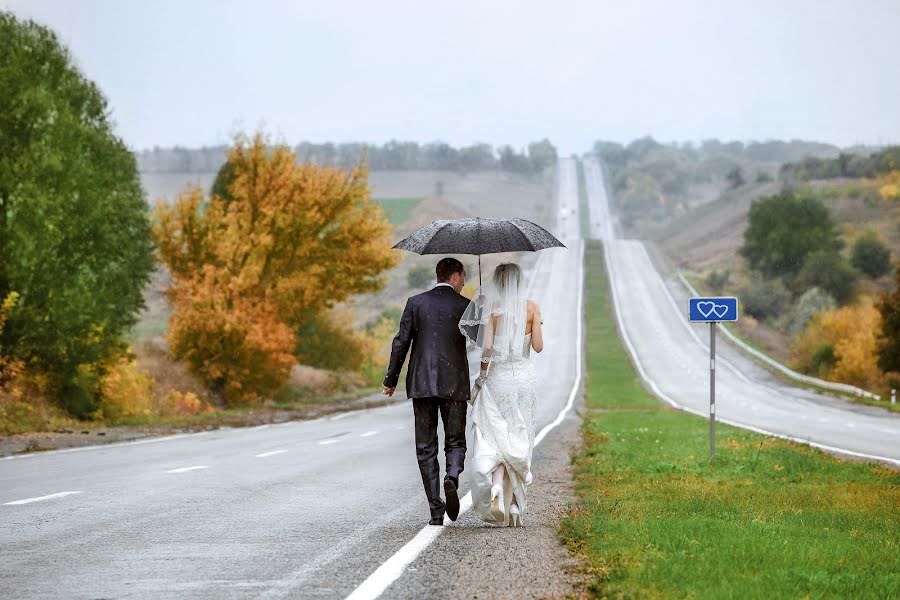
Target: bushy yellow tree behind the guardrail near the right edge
pixel 847 336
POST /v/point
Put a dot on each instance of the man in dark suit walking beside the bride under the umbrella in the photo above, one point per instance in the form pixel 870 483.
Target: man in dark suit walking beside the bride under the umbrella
pixel 437 381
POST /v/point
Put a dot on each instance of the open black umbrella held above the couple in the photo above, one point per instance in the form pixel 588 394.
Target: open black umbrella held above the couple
pixel 479 236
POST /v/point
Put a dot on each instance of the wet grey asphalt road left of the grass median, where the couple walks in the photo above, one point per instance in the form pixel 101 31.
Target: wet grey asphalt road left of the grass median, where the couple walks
pixel 301 509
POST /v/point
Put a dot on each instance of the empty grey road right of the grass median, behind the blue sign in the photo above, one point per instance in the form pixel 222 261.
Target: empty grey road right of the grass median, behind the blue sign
pixel 674 354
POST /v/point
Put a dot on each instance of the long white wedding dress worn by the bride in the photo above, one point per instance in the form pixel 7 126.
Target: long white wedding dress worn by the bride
pixel 503 421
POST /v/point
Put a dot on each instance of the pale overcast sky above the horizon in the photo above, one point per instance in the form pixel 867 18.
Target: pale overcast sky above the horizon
pixel 195 72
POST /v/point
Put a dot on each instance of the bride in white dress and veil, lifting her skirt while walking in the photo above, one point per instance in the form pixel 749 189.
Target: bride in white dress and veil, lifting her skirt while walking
pixel 505 326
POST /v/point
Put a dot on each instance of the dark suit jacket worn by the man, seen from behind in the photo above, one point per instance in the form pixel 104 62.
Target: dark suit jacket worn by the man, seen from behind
pixel 438 366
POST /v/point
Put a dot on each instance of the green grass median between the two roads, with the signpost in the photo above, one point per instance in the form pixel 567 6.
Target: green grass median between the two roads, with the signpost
pixel 770 519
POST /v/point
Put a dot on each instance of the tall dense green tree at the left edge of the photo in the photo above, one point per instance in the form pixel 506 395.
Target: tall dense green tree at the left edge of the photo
pixel 74 228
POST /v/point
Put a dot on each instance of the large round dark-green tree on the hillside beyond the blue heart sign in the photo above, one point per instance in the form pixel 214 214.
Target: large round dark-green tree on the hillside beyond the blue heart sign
pixel 786 228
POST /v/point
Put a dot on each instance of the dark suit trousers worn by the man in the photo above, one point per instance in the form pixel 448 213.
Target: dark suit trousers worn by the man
pixel 453 416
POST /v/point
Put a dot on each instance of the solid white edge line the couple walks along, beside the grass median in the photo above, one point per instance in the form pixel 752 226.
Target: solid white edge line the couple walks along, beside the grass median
pixel 393 568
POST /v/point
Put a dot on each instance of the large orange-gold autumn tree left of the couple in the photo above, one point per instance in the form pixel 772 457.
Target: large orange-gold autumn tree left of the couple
pixel 256 264
